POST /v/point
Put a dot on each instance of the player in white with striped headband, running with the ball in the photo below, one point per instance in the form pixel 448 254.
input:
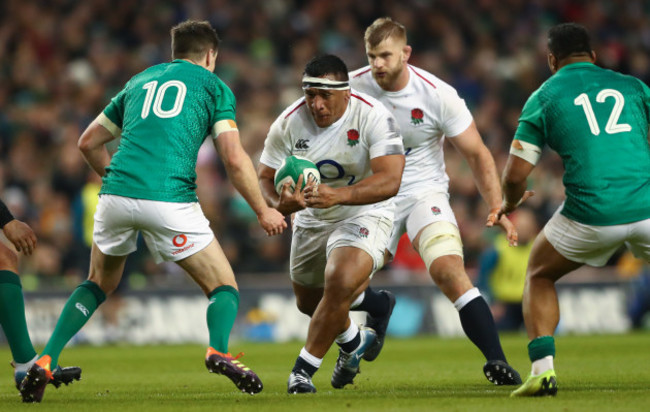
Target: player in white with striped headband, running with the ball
pixel 342 226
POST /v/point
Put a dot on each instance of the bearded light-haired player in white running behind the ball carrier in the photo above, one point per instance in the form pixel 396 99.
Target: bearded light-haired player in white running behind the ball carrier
pixel 428 110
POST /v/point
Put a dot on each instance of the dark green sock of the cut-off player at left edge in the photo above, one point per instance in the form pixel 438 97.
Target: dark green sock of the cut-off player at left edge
pixel 12 317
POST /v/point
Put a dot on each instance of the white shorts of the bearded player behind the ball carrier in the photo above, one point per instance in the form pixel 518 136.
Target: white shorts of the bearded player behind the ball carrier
pixel 413 213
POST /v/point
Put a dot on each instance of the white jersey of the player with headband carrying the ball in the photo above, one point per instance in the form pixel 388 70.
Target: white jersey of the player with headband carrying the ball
pixel 342 151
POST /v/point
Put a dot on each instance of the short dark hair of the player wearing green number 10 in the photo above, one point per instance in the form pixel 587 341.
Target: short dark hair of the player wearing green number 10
pixel 193 39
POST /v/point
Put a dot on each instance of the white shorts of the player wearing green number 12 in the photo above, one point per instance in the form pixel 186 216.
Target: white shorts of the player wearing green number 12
pixel 594 245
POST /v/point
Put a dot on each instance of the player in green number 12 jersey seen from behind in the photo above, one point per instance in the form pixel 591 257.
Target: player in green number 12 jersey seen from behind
pixel 597 121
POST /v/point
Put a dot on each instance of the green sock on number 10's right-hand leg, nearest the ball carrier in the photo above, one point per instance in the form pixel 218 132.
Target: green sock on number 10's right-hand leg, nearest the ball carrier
pixel 222 311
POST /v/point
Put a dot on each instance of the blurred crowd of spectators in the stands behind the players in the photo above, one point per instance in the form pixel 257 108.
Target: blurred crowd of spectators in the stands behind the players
pixel 62 60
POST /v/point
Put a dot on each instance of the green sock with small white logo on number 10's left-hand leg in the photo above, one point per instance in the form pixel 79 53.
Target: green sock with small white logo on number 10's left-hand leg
pixel 76 312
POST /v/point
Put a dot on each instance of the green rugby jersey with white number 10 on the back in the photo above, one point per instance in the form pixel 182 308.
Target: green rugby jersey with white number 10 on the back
pixel 165 114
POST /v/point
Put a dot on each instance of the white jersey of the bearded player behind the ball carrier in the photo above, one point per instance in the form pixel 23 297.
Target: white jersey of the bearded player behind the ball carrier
pixel 426 110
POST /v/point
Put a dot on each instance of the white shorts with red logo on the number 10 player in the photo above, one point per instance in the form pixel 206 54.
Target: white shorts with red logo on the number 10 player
pixel 172 231
